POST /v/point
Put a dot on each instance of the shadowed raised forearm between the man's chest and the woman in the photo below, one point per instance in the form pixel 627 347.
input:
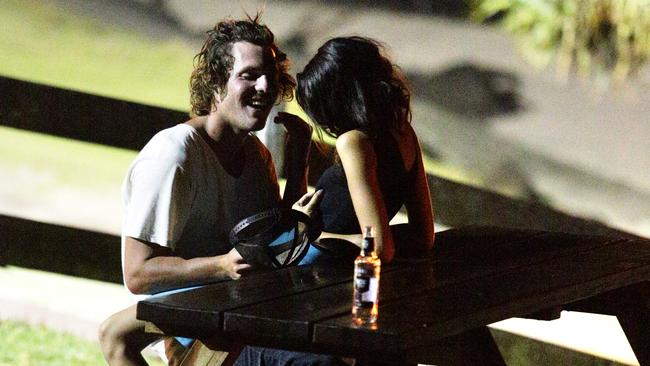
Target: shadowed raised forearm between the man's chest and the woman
pixel 297 158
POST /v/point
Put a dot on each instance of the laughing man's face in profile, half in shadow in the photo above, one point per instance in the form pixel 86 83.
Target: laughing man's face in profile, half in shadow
pixel 251 90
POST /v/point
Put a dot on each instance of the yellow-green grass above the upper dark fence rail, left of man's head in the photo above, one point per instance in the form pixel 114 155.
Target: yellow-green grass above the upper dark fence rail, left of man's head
pixel 46 44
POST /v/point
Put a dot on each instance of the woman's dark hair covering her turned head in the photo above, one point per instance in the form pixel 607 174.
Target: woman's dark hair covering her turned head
pixel 349 84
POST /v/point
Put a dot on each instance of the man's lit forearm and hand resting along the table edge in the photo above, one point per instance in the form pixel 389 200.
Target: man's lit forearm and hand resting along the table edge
pixel 150 268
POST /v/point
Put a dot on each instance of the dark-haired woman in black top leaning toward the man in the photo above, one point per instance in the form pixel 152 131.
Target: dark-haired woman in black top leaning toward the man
pixel 354 93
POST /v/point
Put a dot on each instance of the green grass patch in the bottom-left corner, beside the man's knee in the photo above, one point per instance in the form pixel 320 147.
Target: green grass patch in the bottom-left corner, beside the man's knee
pixel 30 345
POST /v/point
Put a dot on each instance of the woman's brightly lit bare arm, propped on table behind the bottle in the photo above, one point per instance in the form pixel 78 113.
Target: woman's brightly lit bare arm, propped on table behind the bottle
pixel 360 165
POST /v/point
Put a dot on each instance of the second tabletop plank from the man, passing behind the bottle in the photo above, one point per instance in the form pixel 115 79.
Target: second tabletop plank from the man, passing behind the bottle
pixel 493 254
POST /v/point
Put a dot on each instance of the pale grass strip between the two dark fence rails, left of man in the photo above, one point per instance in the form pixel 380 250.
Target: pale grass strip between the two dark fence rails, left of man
pixel 61 181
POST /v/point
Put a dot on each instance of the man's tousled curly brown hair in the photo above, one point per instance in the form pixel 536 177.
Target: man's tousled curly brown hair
pixel 212 66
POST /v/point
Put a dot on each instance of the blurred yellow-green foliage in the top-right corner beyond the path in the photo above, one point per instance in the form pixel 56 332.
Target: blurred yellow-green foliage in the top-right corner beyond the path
pixel 592 38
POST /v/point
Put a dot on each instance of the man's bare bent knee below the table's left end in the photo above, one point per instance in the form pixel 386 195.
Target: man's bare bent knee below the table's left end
pixel 122 338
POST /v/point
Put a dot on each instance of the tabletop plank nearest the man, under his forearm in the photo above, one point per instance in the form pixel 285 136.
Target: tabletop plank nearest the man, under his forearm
pixel 201 310
